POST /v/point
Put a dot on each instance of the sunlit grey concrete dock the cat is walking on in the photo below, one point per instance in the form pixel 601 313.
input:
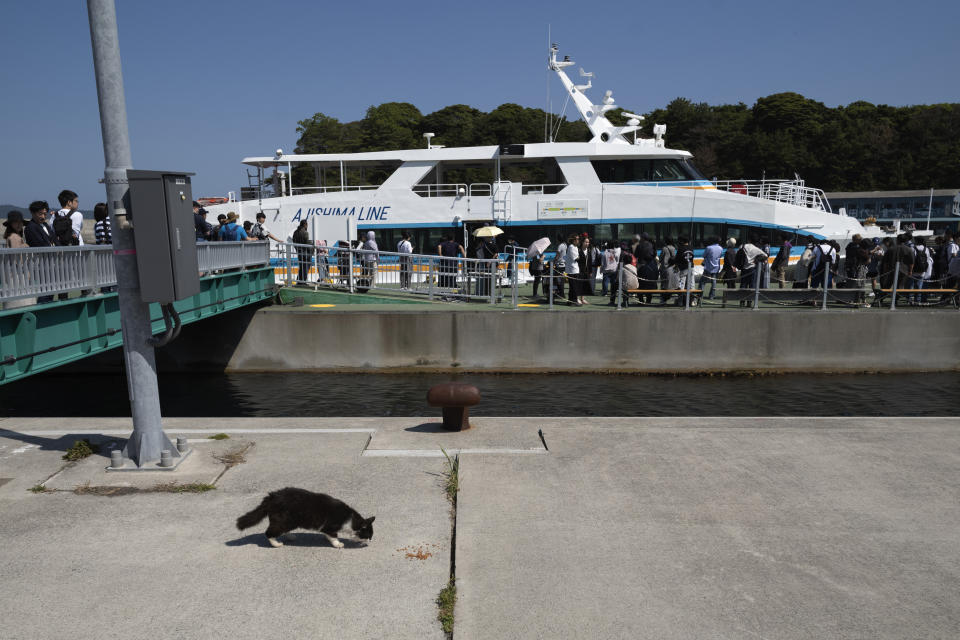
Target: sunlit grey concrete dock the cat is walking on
pixel 564 528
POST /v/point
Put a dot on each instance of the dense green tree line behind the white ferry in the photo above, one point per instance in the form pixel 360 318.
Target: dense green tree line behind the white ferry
pixel 857 147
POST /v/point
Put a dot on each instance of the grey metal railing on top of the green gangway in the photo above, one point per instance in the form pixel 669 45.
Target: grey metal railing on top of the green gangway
pixel 45 271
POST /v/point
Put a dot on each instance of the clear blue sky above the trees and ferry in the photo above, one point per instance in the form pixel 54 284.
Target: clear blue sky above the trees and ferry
pixel 208 83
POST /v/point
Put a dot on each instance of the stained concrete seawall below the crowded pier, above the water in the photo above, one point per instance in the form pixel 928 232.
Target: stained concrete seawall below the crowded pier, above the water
pixel 283 339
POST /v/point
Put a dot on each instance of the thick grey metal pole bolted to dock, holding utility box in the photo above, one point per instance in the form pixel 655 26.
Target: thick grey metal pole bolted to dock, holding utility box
pixel 148 439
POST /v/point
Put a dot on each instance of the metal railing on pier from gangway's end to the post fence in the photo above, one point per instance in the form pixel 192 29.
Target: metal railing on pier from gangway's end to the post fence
pixel 359 270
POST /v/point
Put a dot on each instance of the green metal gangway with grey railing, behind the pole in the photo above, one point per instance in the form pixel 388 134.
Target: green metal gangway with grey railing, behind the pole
pixel 39 337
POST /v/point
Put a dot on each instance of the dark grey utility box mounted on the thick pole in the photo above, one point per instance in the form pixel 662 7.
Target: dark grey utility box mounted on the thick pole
pixel 161 210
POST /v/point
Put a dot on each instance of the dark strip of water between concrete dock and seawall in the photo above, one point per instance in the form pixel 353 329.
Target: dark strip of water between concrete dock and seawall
pixel 305 394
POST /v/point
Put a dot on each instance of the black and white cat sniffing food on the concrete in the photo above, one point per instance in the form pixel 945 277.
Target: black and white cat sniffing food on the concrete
pixel 291 508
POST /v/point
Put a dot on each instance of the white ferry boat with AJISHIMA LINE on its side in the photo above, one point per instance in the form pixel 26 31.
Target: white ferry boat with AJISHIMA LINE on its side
pixel 612 187
